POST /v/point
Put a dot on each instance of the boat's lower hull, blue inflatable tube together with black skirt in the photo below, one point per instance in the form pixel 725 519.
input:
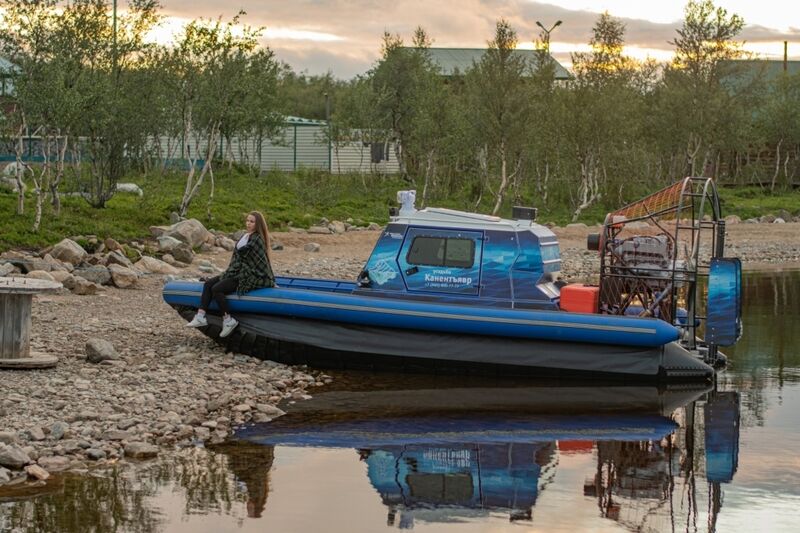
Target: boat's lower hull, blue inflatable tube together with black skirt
pixel 328 327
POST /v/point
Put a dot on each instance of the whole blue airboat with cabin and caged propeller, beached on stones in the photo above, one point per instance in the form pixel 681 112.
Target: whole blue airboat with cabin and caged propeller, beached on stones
pixel 447 290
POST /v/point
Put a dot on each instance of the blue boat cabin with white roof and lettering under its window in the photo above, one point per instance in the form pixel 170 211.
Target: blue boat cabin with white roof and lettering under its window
pixel 452 256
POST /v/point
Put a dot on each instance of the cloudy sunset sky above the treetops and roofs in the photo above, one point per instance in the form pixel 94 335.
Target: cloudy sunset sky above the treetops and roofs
pixel 343 36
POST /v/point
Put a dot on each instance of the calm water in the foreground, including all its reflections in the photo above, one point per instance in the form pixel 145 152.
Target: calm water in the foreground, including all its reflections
pixel 453 455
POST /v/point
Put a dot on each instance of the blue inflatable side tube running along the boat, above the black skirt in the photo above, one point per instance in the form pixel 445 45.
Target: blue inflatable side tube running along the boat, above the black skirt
pixel 329 301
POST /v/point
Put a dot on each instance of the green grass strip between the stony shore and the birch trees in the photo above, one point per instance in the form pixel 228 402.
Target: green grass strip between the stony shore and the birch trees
pixel 298 199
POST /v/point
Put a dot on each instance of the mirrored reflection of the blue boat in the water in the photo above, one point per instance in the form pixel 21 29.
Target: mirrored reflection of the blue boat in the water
pixel 448 454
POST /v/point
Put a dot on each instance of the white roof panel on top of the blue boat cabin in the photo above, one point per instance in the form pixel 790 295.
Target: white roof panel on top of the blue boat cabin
pixel 453 219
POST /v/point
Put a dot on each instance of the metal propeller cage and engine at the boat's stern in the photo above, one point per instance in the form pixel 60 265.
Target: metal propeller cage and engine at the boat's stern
pixel 681 218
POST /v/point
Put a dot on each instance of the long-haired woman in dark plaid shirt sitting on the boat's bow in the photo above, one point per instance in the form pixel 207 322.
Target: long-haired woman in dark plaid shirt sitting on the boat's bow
pixel 249 269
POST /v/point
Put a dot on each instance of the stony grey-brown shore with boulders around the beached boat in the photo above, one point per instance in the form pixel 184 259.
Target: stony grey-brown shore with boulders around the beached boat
pixel 133 382
